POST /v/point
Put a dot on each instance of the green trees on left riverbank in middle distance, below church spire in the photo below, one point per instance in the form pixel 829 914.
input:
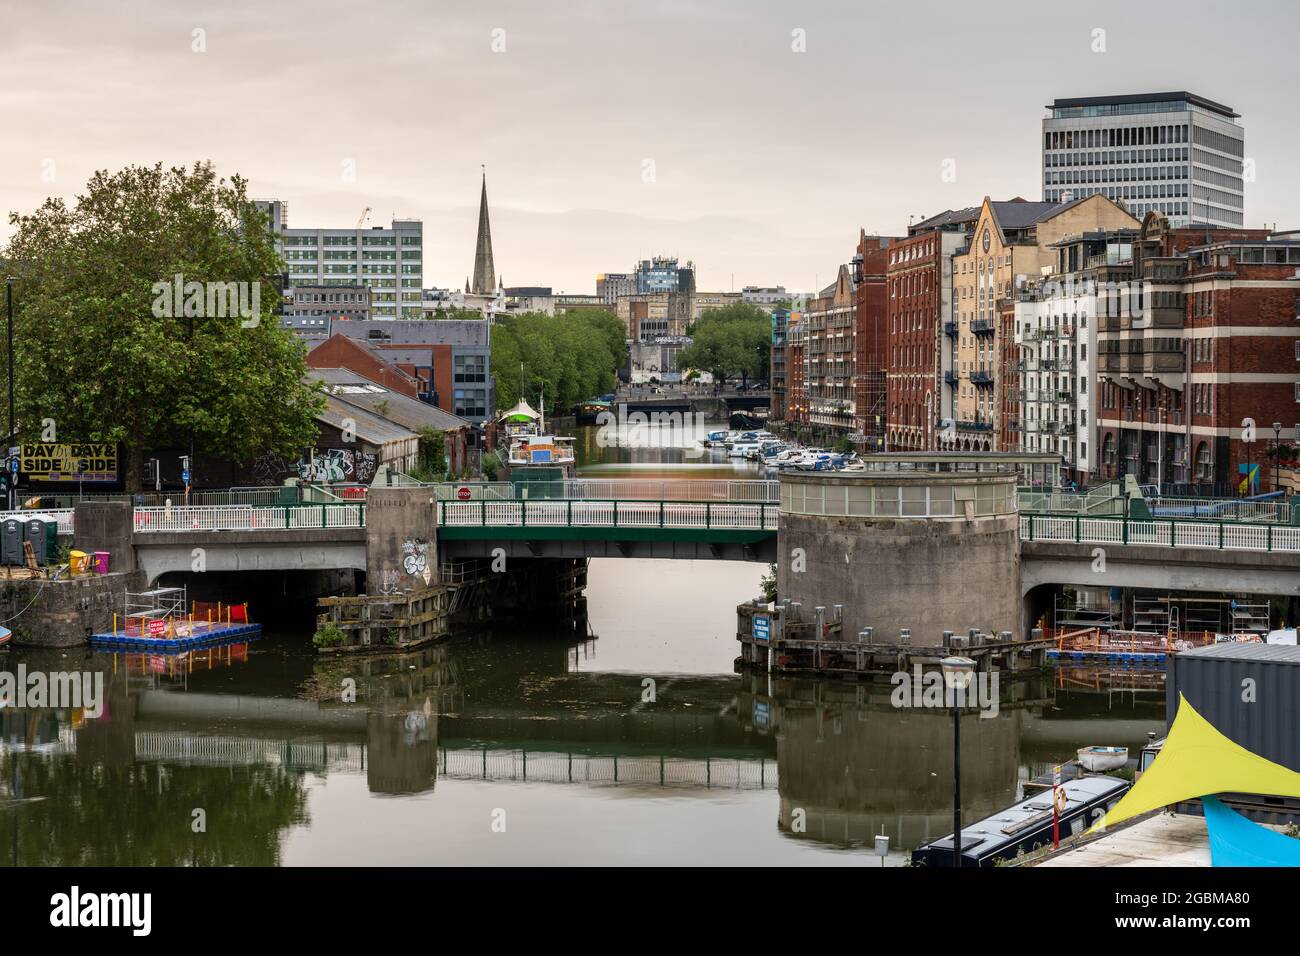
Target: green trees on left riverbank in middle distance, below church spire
pixel 575 356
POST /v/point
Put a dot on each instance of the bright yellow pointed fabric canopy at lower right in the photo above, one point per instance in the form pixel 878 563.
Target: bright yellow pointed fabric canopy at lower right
pixel 1198 762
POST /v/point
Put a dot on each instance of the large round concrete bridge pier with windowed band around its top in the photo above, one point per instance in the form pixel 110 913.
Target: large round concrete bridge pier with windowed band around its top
pixel 926 551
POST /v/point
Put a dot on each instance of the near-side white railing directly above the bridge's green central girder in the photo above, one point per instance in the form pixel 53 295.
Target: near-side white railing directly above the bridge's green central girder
pixel 609 514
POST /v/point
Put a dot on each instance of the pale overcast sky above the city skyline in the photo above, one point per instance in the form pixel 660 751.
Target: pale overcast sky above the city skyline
pixel 752 137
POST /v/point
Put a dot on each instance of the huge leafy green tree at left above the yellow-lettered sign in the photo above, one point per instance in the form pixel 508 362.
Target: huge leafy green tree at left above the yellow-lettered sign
pixel 98 354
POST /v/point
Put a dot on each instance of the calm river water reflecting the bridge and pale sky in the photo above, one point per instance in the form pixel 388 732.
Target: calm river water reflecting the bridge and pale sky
pixel 630 741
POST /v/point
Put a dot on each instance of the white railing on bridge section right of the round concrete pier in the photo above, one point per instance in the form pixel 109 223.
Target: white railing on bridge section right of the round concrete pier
pixel 1162 534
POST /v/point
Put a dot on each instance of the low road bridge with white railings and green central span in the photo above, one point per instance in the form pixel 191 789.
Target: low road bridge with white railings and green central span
pixel 707 520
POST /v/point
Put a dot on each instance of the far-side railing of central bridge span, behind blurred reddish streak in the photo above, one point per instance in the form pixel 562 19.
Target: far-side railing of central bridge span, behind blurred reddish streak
pixel 757 492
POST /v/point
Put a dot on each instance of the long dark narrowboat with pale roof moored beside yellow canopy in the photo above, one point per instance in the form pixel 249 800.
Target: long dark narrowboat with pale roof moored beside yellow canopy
pixel 1028 827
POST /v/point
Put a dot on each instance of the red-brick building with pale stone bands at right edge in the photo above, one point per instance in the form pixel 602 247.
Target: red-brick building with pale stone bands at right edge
pixel 1219 347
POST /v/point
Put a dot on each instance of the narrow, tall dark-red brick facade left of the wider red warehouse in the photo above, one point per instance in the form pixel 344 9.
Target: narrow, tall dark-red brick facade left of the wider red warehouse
pixel 872 339
